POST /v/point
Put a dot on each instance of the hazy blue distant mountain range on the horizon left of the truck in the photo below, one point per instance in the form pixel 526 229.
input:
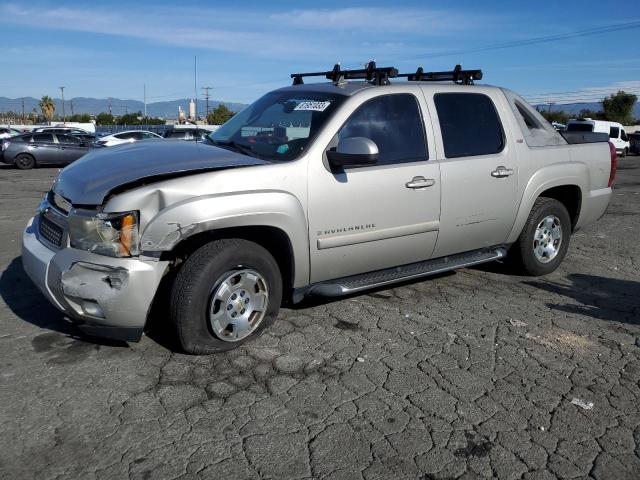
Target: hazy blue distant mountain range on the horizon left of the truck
pixel 93 106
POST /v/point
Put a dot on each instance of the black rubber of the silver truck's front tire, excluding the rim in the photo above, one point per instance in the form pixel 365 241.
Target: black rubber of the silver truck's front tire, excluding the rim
pixel 190 304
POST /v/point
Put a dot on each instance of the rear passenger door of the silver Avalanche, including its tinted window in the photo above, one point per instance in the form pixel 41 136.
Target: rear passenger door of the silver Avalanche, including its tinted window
pixel 479 171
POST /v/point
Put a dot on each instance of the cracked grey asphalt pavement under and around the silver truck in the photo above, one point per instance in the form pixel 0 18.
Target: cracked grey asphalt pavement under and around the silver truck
pixel 479 373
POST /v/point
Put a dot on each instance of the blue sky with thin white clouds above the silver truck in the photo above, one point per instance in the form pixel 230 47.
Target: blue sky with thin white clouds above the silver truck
pixel 246 48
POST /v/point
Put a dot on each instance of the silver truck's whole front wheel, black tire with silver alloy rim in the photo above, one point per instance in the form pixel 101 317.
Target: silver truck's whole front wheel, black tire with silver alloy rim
pixel 226 293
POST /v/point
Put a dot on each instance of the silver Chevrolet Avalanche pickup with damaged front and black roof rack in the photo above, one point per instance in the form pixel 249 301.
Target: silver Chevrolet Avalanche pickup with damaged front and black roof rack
pixel 317 189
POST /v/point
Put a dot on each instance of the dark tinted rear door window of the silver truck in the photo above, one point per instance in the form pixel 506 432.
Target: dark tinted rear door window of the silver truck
pixel 469 124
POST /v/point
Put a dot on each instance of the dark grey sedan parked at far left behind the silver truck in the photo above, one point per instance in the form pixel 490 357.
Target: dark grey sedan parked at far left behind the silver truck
pixel 36 149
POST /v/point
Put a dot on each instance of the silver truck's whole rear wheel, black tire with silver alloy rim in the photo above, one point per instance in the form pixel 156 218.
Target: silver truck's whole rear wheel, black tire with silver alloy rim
pixel 544 240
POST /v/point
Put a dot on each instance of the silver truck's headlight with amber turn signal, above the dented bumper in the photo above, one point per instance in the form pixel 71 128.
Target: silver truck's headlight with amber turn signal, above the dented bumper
pixel 112 234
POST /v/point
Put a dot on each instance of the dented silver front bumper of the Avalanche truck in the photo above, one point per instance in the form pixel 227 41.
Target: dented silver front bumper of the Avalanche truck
pixel 106 297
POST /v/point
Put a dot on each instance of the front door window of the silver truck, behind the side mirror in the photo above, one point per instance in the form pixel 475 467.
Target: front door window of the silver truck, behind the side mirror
pixel 394 123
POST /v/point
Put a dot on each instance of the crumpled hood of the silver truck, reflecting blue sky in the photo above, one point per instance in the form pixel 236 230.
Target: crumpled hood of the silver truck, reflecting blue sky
pixel 89 180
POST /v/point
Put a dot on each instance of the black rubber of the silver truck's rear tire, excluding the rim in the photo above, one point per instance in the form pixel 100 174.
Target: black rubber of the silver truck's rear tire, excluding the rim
pixel 530 263
